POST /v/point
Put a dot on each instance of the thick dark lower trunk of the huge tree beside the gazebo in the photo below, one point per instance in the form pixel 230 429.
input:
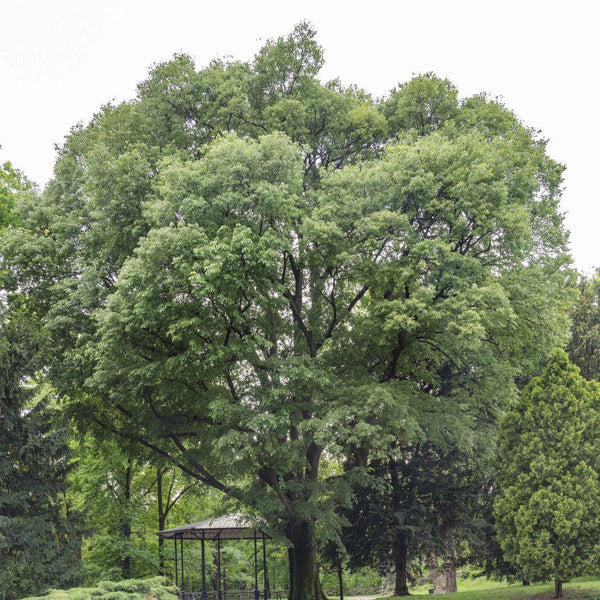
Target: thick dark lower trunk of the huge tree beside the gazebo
pixel 304 570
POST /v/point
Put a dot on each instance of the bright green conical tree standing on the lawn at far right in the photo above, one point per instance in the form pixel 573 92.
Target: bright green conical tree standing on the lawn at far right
pixel 547 512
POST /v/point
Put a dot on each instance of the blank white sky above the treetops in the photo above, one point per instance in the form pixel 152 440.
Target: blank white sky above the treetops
pixel 60 60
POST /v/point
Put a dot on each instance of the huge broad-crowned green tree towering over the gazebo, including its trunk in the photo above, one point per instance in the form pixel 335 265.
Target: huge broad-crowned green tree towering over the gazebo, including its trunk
pixel 246 270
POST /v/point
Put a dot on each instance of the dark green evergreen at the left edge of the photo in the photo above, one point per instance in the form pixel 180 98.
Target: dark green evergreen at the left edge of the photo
pixel 39 542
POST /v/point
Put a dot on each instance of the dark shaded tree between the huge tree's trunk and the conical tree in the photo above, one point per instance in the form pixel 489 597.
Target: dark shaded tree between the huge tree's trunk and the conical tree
pixel 422 504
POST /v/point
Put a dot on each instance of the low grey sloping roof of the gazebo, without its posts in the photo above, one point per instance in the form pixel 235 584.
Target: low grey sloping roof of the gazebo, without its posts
pixel 231 527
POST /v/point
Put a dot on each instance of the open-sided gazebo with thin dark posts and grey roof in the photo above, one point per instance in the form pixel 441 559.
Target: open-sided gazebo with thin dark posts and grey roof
pixel 231 527
